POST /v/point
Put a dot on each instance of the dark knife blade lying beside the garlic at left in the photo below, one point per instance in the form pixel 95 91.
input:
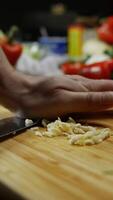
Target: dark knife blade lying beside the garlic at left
pixel 15 125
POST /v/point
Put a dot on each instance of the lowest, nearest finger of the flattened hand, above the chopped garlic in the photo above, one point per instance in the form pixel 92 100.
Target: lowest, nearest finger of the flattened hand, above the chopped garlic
pixel 88 101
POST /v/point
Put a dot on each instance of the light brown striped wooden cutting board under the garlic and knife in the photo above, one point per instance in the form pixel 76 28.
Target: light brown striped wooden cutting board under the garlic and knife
pixel 51 169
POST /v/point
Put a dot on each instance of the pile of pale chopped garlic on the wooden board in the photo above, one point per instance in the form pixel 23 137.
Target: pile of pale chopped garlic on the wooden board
pixel 76 133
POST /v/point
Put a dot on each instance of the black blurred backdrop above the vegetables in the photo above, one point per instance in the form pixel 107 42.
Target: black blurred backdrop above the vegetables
pixel 33 16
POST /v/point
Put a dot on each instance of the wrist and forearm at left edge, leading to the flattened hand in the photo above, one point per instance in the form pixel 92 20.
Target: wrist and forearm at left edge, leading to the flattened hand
pixel 12 84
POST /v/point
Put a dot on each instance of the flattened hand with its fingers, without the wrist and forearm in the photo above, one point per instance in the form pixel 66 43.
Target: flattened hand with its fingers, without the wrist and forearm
pixel 56 96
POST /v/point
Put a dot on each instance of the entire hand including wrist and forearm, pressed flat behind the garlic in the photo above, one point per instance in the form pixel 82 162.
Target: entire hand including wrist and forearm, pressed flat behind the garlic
pixel 52 96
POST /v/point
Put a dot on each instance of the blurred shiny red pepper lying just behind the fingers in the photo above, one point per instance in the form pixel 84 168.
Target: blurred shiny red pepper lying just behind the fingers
pixel 99 70
